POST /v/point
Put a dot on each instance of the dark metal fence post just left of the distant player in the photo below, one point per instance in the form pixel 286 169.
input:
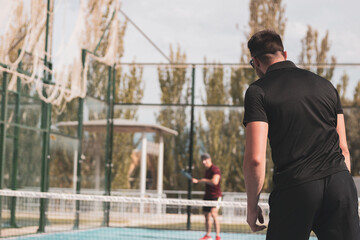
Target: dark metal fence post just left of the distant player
pixel 188 224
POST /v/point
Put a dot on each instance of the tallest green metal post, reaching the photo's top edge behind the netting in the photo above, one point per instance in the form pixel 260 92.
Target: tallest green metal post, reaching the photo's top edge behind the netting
pixel 45 126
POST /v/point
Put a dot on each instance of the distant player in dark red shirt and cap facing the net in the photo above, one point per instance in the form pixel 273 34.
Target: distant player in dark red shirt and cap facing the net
pixel 212 192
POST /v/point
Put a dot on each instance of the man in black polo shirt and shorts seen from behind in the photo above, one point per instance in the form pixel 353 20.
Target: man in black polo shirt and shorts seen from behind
pixel 301 114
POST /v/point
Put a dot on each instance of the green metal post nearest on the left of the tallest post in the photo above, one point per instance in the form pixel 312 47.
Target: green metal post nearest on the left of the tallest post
pixel 14 171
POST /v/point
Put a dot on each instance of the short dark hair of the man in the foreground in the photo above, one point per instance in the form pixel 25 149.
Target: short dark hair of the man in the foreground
pixel 263 42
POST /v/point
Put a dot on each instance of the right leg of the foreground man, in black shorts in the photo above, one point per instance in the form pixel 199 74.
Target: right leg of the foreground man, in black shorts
pixel 338 219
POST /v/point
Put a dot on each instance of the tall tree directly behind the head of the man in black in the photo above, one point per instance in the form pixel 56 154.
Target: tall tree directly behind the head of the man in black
pixel 264 14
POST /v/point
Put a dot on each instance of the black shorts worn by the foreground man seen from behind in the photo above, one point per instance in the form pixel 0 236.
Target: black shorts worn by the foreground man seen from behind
pixel 328 206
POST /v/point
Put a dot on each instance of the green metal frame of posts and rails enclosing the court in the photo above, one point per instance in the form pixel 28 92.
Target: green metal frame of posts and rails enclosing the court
pixel 109 123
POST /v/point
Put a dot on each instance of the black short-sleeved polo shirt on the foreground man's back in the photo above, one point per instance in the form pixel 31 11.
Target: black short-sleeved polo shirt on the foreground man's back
pixel 301 109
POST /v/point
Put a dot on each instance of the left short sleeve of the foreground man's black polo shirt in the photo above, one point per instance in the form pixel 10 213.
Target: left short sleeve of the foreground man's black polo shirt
pixel 254 105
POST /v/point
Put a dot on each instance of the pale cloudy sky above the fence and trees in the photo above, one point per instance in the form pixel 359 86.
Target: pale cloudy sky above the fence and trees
pixel 215 29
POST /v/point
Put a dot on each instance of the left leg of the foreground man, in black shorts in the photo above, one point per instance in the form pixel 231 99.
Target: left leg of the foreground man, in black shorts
pixel 292 211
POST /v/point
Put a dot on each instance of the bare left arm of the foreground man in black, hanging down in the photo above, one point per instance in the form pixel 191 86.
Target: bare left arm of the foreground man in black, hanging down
pixel 254 170
